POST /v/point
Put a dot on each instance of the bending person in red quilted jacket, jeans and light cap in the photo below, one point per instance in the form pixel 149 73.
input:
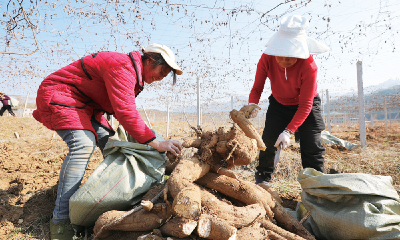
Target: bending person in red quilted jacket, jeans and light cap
pixel 72 102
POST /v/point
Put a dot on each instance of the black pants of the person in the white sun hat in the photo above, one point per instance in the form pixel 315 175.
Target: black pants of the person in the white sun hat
pixel 277 118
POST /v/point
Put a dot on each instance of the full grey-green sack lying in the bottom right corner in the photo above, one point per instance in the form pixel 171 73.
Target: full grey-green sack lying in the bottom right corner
pixel 349 205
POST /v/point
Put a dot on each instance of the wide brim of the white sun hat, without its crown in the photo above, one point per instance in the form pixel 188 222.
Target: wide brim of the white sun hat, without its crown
pixel 299 46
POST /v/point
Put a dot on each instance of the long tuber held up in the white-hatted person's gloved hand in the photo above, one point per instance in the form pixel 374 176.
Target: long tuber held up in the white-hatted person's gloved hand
pixel 248 128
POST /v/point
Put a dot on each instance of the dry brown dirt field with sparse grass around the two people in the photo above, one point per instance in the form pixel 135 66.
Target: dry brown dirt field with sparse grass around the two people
pixel 29 168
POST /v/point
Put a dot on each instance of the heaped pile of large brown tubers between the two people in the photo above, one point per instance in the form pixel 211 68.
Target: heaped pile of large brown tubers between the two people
pixel 196 194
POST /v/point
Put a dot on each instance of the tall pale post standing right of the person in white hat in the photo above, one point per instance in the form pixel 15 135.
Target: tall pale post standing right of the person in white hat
pixel 361 110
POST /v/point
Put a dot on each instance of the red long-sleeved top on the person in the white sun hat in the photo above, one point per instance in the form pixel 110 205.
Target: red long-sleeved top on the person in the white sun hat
pixel 295 85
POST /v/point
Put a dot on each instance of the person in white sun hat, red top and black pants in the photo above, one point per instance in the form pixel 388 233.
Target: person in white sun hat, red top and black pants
pixel 294 103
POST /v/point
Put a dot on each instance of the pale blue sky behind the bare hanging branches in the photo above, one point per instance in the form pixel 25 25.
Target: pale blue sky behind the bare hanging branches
pixel 217 42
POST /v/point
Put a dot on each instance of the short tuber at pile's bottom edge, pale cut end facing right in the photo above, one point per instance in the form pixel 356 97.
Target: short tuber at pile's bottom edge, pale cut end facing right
pixel 179 227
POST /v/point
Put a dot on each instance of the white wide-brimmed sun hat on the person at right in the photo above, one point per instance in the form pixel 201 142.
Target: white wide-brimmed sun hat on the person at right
pixel 291 40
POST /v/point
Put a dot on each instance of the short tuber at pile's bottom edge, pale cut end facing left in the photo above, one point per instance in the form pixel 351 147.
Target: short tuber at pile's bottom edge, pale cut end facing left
pixel 213 228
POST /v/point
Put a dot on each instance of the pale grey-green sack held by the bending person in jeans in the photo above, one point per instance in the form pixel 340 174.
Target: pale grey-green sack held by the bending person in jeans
pixel 128 171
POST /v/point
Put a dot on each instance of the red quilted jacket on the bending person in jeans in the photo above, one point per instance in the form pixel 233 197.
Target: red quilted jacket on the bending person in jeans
pixel 68 98
